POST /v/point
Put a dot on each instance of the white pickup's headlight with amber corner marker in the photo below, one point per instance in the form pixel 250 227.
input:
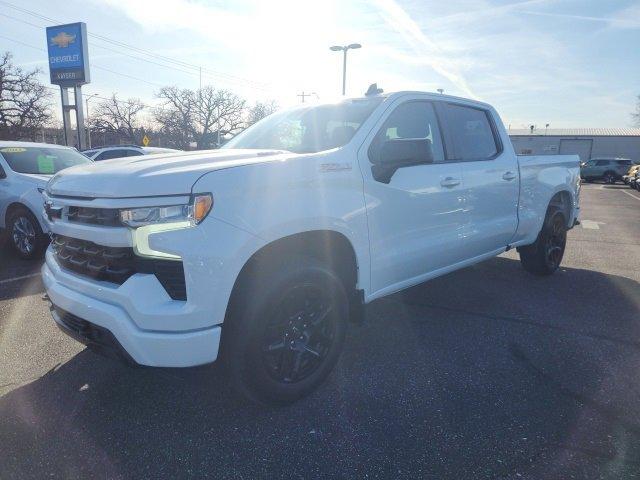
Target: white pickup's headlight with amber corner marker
pixel 187 215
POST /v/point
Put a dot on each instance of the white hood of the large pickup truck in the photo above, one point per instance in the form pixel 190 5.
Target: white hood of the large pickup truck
pixel 152 175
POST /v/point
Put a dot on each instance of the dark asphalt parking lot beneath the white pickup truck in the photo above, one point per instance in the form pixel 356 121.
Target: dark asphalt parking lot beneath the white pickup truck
pixel 488 372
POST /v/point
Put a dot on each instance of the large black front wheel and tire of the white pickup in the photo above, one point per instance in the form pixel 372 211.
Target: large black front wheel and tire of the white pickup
pixel 286 330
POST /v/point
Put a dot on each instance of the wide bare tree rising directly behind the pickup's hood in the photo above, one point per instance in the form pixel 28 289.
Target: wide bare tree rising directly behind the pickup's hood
pixel 204 116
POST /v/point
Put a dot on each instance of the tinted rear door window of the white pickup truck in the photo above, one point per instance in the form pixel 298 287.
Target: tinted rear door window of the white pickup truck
pixel 472 134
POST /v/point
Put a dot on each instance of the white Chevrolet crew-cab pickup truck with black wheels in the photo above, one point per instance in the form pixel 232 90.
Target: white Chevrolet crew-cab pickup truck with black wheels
pixel 264 249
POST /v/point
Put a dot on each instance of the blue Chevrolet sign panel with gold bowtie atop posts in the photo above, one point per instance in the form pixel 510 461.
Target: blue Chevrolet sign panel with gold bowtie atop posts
pixel 68 55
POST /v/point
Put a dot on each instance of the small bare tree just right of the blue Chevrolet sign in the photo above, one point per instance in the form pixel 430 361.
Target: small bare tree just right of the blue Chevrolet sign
pixel 119 119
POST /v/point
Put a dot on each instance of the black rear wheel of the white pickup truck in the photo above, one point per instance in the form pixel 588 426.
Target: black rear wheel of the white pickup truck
pixel 545 255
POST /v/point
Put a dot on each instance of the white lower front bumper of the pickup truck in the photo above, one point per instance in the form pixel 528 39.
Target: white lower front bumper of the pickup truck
pixel 145 347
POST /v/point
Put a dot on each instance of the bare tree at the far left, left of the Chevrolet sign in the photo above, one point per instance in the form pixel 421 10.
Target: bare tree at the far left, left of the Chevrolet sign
pixel 24 102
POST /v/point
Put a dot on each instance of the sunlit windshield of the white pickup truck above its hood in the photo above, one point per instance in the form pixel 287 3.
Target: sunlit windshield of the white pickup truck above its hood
pixel 308 129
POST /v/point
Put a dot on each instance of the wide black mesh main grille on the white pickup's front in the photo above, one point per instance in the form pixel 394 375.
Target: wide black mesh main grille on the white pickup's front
pixel 117 264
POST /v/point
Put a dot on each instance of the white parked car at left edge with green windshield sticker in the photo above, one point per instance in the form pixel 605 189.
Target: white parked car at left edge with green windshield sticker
pixel 25 169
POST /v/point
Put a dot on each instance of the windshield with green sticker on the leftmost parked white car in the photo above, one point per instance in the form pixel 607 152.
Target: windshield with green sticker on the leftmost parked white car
pixel 41 160
